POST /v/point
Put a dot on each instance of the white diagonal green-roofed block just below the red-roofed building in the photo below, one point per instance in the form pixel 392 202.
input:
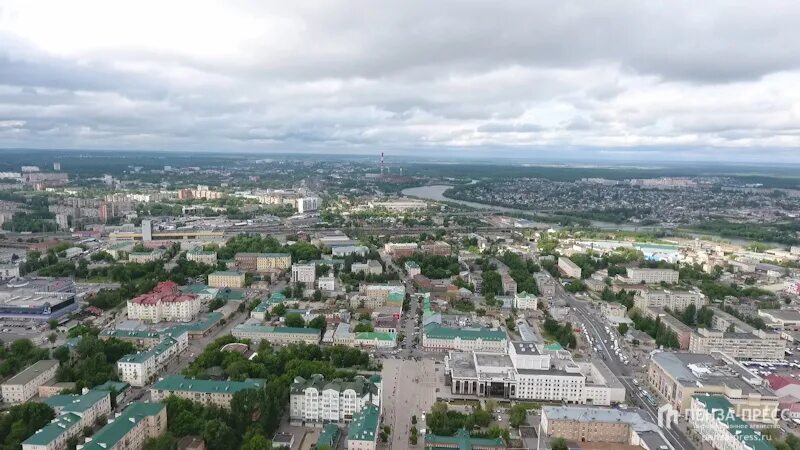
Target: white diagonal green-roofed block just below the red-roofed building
pixel 141 368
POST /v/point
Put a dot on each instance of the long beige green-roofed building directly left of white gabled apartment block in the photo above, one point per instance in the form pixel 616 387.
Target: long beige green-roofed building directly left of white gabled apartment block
pixel 208 392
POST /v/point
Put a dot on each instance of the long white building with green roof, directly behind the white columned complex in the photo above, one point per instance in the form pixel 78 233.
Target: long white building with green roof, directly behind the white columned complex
pixel 436 337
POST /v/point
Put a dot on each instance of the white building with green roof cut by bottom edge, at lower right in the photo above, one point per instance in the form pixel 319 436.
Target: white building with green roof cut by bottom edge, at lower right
pixel 715 420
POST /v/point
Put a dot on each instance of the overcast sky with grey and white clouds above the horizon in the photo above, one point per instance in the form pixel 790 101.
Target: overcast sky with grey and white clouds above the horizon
pixel 682 78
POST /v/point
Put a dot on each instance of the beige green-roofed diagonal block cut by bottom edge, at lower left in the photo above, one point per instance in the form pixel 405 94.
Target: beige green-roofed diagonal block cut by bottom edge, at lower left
pixel 129 431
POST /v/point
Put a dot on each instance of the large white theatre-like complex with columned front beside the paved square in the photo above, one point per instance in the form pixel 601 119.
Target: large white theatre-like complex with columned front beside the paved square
pixel 532 372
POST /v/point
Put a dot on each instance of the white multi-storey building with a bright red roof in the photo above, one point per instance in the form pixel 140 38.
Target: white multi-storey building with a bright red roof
pixel 165 302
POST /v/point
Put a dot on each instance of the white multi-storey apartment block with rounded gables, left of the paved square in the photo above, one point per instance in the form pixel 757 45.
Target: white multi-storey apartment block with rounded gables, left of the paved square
pixel 315 401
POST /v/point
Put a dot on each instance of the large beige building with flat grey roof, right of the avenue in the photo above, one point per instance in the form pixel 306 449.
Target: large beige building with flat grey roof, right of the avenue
pixel 677 376
